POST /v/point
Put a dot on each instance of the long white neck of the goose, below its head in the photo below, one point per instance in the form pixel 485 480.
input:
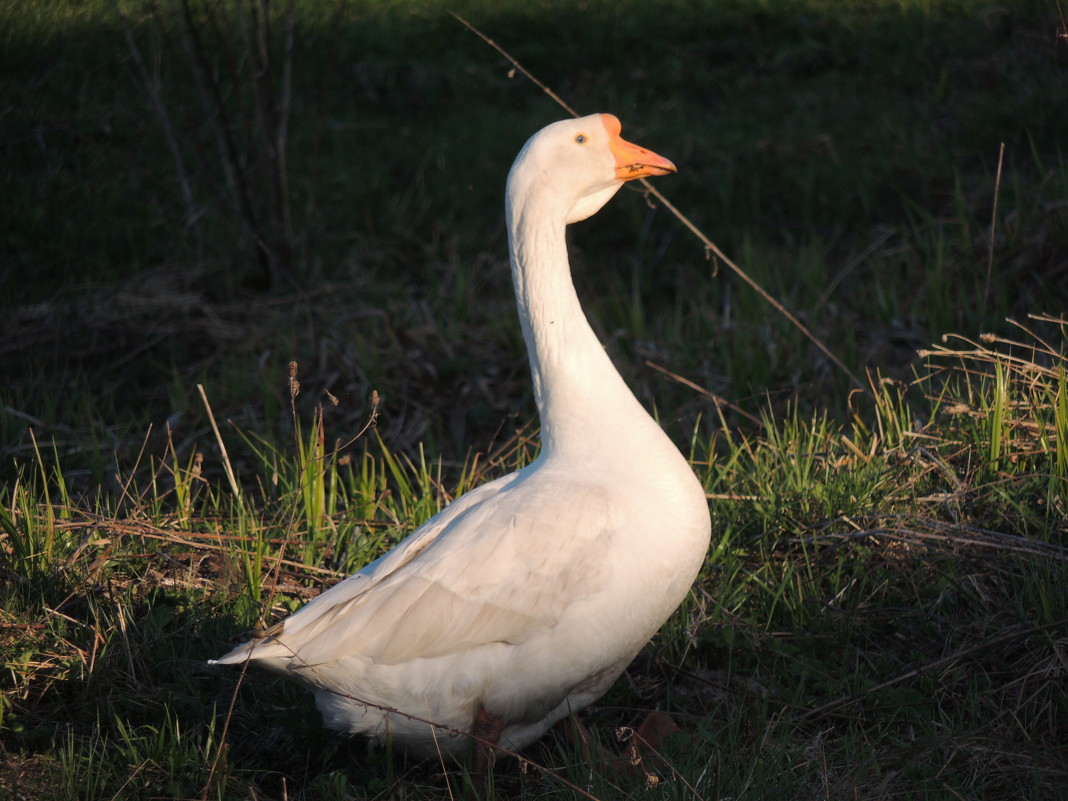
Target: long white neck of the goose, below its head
pixel 587 410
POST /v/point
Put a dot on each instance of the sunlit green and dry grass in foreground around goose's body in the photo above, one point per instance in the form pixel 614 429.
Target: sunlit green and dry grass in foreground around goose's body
pixel 883 614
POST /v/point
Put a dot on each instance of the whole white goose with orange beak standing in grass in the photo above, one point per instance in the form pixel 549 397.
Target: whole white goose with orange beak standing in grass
pixel 526 599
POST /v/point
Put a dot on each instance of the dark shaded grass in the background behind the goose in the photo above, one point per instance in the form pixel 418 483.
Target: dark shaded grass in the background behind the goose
pixel 844 154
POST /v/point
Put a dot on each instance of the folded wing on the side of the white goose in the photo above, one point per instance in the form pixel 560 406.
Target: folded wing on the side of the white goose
pixel 480 573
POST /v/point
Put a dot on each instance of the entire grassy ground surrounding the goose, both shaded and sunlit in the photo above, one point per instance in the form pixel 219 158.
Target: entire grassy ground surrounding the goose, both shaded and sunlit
pixel 883 616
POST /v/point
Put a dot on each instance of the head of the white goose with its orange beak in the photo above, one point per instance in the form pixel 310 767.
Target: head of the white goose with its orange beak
pixel 580 165
